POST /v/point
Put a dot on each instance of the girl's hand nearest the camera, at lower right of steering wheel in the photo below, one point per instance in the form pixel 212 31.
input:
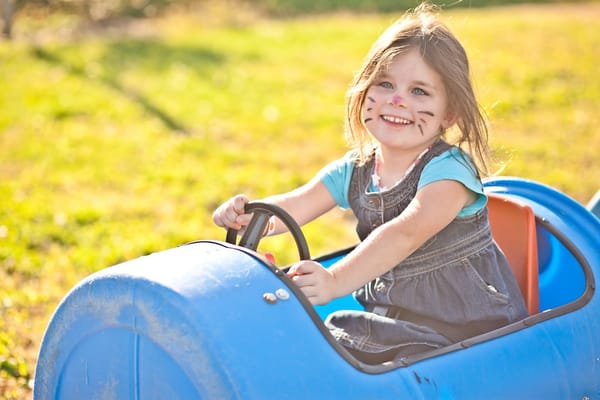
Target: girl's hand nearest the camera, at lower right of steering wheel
pixel 316 282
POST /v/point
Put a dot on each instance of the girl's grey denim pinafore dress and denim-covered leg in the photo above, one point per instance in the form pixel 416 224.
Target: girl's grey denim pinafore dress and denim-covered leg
pixel 457 285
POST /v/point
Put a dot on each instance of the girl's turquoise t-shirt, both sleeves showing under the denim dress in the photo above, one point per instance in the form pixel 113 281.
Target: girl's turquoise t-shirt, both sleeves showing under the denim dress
pixel 450 165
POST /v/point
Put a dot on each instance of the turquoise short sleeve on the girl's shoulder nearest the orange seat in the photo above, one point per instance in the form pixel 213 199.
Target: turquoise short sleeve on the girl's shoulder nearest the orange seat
pixel 455 165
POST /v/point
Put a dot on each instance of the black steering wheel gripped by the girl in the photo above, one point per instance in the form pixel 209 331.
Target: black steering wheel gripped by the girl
pixel 261 212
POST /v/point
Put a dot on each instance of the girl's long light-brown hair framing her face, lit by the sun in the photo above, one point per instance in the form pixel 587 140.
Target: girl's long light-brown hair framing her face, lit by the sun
pixel 420 29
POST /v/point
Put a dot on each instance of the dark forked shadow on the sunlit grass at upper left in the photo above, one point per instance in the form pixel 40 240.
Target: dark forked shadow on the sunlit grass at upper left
pixel 134 53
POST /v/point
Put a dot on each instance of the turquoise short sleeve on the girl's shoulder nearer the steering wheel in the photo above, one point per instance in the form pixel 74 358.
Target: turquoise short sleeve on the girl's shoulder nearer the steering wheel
pixel 336 178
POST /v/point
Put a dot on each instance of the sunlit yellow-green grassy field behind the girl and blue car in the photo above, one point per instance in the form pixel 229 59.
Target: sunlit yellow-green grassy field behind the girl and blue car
pixel 121 142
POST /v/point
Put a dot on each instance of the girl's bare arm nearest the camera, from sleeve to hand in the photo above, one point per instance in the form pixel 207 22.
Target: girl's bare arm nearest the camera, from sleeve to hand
pixel 432 209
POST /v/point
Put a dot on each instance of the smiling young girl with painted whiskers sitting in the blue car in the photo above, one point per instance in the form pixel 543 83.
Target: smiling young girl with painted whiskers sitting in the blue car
pixel 426 269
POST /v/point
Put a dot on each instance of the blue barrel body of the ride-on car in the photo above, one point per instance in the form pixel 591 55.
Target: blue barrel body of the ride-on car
pixel 191 322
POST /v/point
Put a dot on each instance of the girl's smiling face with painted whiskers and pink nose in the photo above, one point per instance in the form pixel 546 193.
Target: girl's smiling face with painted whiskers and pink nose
pixel 406 107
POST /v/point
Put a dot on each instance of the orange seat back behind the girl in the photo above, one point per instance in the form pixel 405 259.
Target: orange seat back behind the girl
pixel 513 229
